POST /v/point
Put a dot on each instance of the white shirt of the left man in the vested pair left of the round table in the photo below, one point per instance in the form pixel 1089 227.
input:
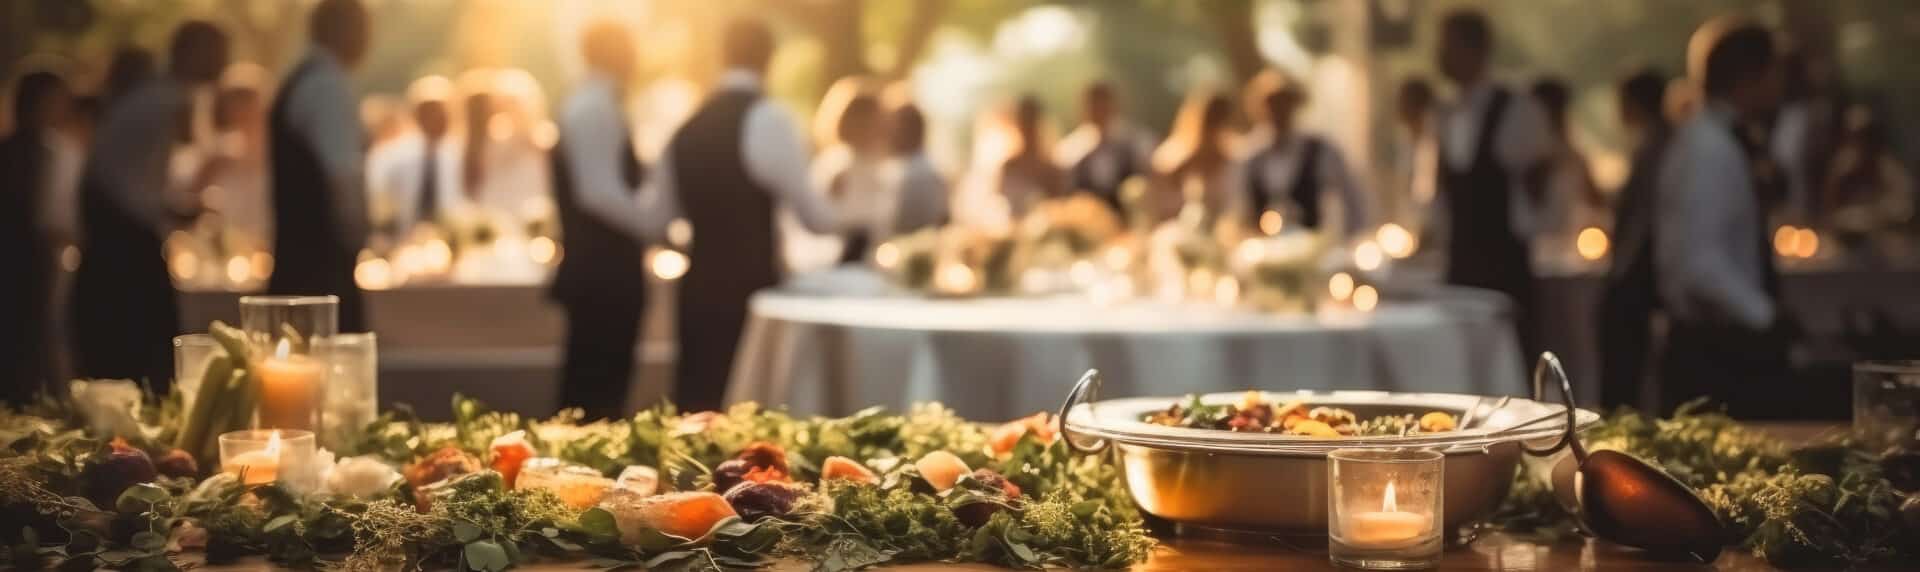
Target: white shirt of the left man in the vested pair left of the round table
pixel 596 147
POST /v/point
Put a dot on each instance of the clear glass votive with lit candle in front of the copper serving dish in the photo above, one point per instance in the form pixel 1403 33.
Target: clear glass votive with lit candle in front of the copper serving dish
pixel 1383 508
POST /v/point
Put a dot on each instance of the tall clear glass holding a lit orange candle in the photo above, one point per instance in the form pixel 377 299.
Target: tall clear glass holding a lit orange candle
pixel 289 339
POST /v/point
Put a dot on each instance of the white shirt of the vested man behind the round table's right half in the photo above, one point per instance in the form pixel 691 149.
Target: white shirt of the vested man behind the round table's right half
pixel 1343 197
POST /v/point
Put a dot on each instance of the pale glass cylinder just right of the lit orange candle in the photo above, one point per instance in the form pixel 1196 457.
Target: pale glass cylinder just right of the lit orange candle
pixel 352 391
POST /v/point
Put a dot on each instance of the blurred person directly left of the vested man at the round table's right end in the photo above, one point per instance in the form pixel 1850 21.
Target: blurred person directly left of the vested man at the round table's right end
pixel 1416 155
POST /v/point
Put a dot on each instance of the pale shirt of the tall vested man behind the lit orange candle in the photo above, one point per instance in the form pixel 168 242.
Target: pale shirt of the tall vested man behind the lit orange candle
pixel 322 108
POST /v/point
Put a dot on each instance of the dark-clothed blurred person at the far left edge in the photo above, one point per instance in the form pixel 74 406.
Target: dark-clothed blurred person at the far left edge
pixel 26 158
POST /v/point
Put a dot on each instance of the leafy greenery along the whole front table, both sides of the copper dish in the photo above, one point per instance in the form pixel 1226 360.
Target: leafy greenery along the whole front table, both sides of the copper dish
pixel 1825 506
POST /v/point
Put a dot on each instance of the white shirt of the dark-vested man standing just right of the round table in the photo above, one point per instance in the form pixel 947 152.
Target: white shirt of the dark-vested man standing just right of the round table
pixel 1520 143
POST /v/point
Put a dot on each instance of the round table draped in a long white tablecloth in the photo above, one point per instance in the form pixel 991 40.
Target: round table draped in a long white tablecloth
pixel 834 352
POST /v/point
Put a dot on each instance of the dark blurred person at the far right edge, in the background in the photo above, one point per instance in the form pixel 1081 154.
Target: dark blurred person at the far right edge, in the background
pixel 1867 187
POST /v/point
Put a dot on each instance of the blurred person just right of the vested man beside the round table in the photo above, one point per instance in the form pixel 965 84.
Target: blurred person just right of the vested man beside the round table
pixel 1570 199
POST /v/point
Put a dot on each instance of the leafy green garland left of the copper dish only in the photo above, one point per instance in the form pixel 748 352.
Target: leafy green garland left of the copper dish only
pixel 1074 512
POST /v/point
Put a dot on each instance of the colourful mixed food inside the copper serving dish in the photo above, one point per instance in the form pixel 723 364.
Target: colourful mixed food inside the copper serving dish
pixel 1257 414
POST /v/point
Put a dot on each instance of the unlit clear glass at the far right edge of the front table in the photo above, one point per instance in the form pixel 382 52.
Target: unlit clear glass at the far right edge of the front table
pixel 1886 404
